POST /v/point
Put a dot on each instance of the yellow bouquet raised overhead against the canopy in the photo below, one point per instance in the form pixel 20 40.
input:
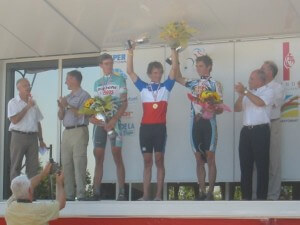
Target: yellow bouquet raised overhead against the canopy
pixel 177 34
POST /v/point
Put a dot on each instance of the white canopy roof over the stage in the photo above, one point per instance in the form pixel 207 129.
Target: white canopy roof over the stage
pixel 34 28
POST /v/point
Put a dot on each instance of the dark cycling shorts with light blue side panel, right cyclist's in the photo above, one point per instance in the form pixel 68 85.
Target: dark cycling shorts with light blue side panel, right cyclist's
pixel 204 134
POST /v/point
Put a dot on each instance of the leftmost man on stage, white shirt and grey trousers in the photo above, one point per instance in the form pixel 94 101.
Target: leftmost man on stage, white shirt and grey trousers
pixel 26 129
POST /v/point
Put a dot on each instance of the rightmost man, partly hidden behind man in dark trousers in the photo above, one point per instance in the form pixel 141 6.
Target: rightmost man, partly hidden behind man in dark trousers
pixel 270 69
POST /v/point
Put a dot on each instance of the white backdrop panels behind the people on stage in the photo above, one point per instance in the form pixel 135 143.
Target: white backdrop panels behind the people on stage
pixel 233 62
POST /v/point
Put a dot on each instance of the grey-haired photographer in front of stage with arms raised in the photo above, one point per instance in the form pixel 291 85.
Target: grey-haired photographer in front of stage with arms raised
pixel 20 208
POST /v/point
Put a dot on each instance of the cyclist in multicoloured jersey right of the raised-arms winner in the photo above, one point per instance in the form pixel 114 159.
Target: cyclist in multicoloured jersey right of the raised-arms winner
pixel 203 128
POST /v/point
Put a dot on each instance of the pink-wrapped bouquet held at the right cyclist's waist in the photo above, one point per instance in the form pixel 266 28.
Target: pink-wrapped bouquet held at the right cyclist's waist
pixel 211 103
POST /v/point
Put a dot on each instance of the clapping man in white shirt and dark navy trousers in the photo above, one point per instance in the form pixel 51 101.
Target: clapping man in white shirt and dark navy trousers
pixel 254 142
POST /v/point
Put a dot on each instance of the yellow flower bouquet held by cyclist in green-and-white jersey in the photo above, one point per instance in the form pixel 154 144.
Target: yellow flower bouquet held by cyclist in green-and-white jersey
pixel 102 108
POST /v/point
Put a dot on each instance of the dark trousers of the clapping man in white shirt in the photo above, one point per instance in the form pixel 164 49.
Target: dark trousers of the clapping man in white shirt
pixel 254 147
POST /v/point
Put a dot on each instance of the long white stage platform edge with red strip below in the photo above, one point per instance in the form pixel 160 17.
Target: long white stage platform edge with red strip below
pixel 177 213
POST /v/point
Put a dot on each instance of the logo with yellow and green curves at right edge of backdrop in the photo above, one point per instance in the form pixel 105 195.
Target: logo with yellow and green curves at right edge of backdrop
pixel 290 108
